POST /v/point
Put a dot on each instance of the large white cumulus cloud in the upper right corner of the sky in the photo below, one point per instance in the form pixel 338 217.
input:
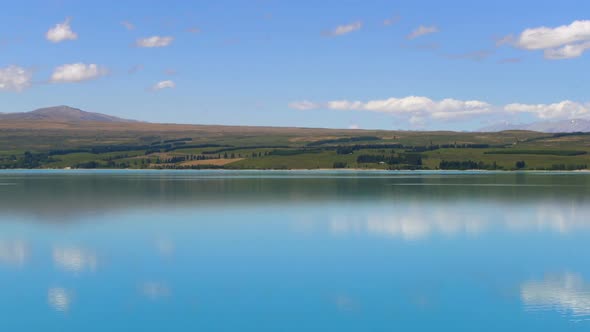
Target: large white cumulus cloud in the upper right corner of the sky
pixel 562 42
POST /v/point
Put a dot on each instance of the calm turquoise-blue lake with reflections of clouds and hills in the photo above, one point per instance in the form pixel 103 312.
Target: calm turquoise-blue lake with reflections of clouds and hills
pixel 294 251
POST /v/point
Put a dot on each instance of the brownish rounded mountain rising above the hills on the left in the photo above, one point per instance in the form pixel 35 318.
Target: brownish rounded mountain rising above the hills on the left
pixel 61 114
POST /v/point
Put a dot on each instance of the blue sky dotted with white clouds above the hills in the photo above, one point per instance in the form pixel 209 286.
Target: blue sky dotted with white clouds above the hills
pixel 411 65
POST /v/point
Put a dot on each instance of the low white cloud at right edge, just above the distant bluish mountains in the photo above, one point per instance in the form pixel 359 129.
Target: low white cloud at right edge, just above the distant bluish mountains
pixel 563 110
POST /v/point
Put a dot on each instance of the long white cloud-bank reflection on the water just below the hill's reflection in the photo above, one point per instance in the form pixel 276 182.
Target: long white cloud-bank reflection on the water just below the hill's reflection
pixel 416 223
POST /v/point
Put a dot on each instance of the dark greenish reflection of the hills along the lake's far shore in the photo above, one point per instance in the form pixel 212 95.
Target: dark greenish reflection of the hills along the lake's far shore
pixel 63 196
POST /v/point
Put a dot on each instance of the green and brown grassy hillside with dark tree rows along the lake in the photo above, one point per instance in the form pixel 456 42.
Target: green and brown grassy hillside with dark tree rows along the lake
pixel 41 144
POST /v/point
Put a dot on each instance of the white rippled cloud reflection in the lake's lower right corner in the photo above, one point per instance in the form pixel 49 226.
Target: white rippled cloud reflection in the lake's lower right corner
pixel 567 293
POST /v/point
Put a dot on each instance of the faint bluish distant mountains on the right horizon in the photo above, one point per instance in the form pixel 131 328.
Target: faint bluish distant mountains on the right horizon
pixel 565 126
